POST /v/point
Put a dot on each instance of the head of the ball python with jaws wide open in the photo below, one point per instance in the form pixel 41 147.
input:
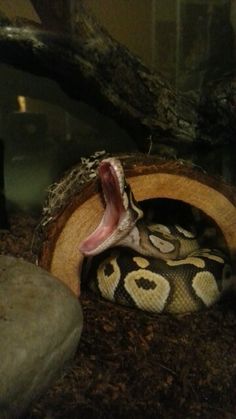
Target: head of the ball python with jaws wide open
pixel 121 210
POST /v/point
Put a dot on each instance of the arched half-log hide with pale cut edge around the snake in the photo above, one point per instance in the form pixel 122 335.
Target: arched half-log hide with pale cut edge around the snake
pixel 81 210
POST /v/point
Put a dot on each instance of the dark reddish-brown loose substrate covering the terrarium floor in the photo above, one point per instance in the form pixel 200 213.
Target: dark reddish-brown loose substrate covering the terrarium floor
pixel 131 364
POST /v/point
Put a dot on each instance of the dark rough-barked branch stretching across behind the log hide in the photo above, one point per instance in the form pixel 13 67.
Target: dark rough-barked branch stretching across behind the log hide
pixel 91 66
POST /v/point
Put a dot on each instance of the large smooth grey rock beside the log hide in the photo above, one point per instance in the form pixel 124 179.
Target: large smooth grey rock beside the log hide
pixel 40 327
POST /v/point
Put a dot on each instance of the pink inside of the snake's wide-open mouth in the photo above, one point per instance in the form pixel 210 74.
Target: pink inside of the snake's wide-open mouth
pixel 113 211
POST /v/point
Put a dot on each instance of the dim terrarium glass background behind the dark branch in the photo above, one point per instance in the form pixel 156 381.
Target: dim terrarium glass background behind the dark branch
pixel 45 128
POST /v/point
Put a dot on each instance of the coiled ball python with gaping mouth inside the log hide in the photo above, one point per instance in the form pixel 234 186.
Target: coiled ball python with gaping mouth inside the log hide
pixel 153 267
